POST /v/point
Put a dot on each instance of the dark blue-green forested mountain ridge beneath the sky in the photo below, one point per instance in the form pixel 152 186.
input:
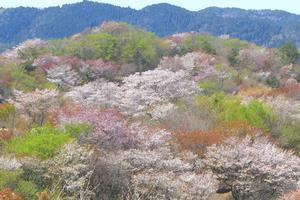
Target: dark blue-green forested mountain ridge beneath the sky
pixel 264 27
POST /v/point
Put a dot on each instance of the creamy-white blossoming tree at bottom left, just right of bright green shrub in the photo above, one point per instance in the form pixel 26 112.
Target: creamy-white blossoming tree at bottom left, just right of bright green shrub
pixel 72 168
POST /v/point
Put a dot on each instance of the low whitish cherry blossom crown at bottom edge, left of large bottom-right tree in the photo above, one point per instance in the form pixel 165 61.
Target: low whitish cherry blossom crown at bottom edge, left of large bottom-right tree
pixel 169 185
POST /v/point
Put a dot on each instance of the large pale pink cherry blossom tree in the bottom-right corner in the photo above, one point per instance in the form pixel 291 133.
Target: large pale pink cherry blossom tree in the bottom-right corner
pixel 254 169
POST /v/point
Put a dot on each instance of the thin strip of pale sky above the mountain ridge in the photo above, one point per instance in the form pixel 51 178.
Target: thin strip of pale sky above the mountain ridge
pixel 288 5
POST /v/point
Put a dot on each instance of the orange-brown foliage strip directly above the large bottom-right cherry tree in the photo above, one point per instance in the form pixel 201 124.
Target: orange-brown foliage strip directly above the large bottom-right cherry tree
pixel 198 141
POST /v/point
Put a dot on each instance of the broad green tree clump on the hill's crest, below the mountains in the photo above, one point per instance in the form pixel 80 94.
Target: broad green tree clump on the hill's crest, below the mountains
pixel 136 46
